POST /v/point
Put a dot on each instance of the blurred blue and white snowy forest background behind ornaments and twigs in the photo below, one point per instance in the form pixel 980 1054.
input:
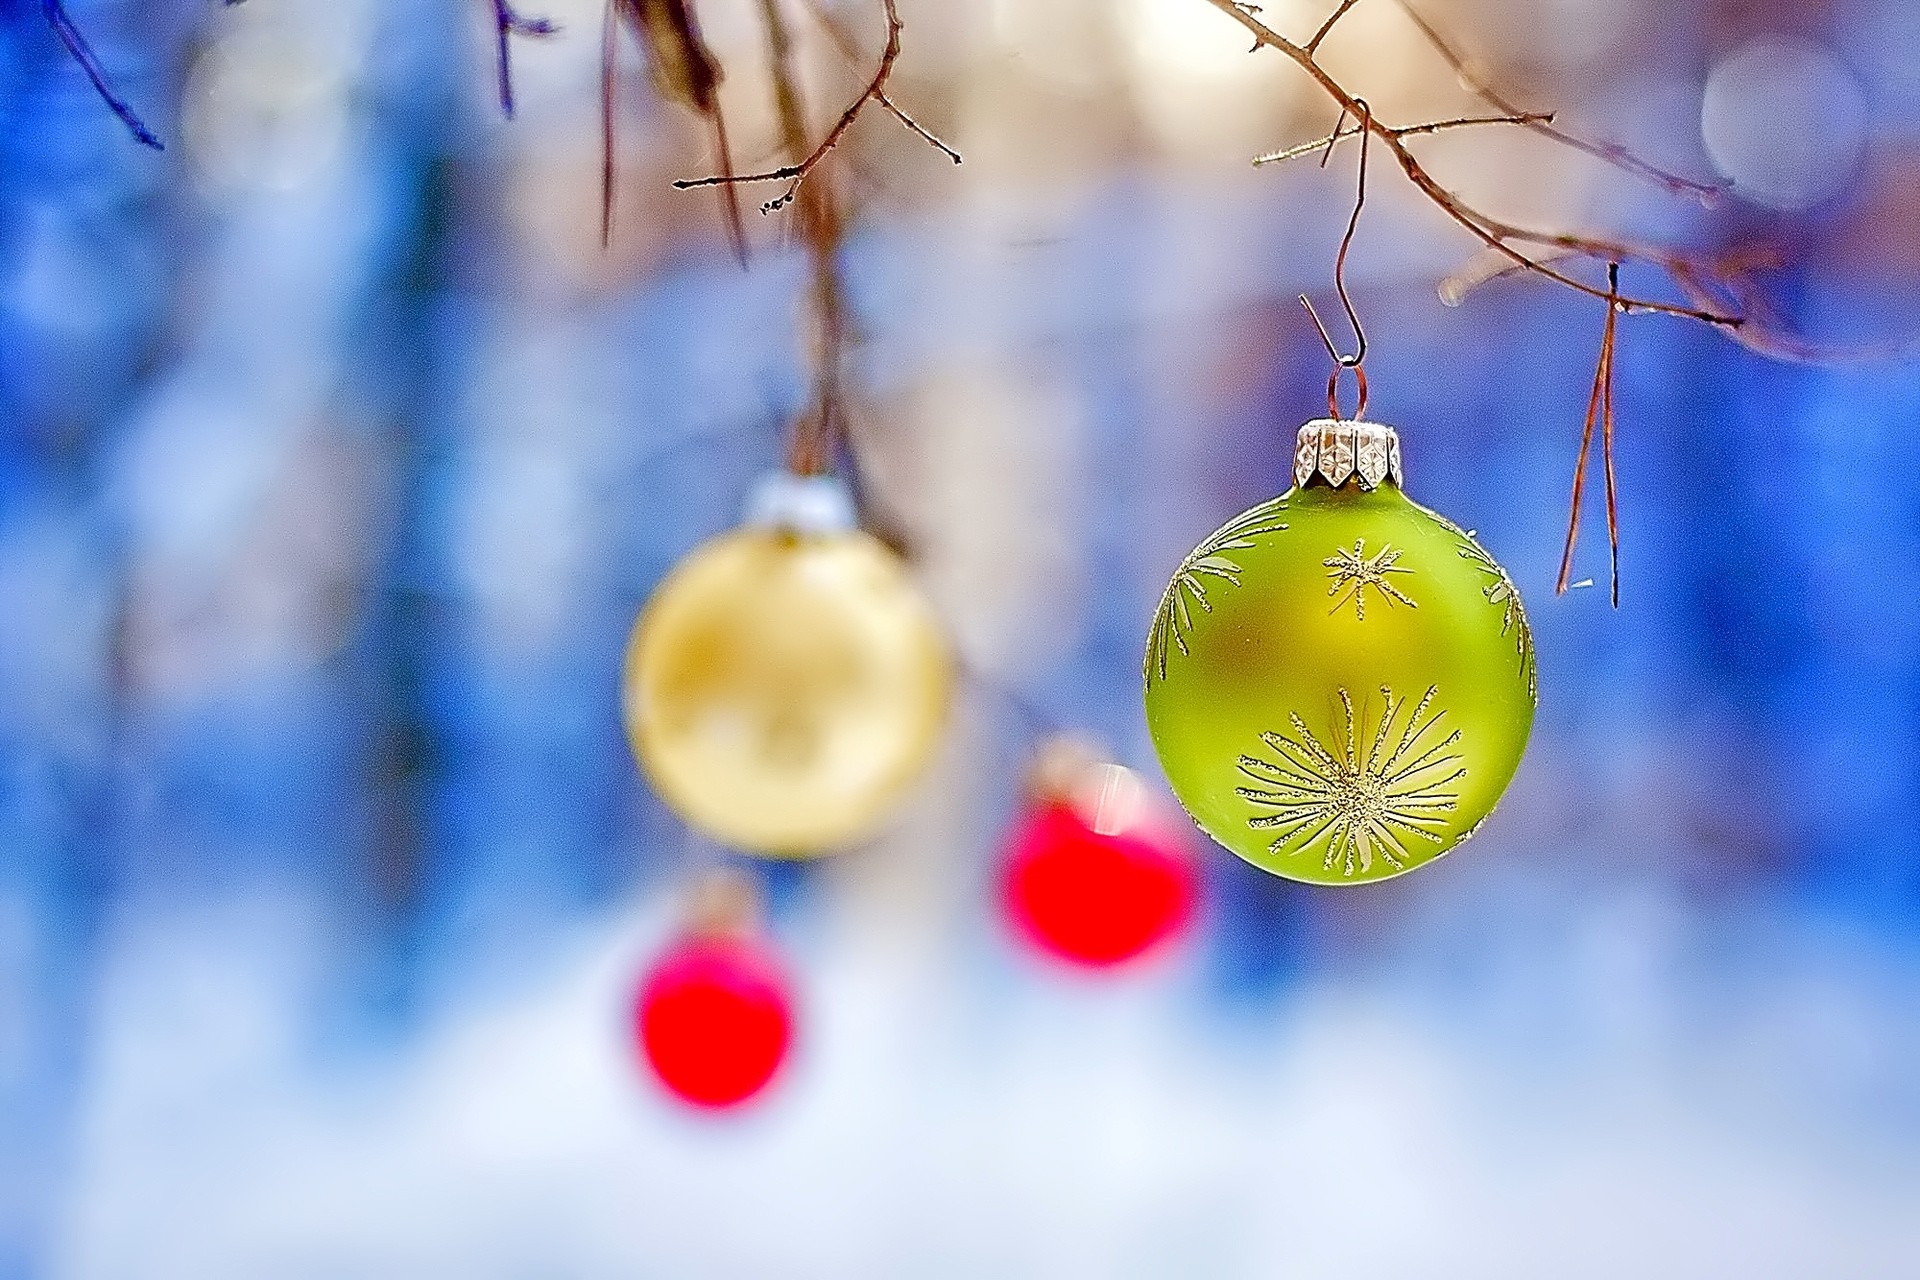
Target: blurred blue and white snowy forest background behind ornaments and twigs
pixel 337 458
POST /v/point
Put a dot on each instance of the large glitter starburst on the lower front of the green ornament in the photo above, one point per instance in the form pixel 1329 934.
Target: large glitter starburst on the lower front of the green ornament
pixel 1356 801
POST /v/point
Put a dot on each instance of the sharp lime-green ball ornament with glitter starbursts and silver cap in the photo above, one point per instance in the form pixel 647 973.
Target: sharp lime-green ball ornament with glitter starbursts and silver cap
pixel 1341 682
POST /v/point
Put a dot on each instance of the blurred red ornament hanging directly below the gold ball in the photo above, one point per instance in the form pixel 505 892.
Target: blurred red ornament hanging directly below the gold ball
pixel 715 1018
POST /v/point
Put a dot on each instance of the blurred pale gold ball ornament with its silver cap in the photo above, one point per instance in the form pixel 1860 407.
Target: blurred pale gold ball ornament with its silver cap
pixel 788 682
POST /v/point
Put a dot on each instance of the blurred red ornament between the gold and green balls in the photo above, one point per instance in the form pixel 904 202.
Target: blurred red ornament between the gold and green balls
pixel 1092 876
